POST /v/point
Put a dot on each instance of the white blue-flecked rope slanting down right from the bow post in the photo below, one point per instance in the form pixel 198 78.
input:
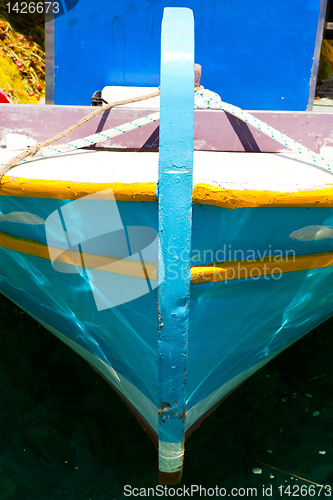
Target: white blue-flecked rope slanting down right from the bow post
pixel 208 99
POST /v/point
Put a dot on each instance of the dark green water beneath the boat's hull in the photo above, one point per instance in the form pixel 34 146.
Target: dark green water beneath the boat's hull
pixel 65 435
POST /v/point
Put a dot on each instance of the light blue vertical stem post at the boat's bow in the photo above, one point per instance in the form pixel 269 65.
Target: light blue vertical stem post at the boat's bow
pixel 175 224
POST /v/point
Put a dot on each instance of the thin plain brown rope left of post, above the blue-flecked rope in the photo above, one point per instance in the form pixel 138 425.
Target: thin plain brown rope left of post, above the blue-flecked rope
pixel 32 150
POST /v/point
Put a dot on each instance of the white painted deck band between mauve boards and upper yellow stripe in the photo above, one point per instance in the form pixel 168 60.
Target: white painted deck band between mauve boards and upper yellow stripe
pixel 283 172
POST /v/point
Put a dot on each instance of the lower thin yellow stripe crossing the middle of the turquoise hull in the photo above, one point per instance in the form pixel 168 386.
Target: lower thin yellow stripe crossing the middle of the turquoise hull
pixel 215 272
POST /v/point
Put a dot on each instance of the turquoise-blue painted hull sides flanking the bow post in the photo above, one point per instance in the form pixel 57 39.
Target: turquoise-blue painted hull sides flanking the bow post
pixel 236 325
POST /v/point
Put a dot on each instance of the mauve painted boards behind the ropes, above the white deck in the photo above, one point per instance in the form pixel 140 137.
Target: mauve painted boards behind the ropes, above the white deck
pixel 214 129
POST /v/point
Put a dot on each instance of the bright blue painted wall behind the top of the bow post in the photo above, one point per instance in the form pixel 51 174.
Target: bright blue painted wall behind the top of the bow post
pixel 255 54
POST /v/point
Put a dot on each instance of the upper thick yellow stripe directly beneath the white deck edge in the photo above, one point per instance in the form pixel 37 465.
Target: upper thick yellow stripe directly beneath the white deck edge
pixel 205 194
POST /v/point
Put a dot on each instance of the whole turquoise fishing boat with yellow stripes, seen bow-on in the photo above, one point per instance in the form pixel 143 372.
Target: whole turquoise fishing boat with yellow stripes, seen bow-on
pixel 180 255
